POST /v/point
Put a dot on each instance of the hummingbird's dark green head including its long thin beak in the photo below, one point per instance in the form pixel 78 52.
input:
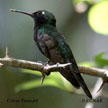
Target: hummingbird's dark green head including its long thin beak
pixel 40 17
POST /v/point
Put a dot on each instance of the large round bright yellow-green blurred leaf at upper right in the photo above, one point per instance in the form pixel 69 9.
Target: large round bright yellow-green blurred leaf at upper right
pixel 98 17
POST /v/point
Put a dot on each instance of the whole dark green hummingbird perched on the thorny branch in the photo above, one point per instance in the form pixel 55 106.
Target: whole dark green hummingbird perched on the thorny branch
pixel 52 44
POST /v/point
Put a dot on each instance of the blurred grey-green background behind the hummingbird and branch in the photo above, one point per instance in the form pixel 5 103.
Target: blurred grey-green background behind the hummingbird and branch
pixel 16 32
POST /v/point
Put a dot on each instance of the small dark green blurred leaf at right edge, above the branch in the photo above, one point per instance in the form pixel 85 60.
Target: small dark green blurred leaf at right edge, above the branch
pixel 100 61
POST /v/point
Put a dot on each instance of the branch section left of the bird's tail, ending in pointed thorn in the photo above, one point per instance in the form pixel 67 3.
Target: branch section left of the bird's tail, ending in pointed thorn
pixel 32 65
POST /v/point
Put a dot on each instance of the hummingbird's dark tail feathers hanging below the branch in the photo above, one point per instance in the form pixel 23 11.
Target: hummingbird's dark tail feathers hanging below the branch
pixel 74 77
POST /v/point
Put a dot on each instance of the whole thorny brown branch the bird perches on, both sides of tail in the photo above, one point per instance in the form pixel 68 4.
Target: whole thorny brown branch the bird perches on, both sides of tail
pixel 8 61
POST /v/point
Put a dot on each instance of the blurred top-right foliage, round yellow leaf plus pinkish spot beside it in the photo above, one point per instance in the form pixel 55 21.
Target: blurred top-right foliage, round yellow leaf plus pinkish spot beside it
pixel 97 14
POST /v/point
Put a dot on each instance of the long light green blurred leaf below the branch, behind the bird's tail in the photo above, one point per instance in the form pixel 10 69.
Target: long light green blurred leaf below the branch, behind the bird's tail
pixel 55 79
